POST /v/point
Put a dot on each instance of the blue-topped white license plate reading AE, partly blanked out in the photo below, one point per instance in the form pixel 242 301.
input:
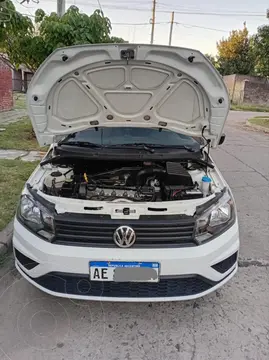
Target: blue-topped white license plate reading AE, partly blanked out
pixel 124 271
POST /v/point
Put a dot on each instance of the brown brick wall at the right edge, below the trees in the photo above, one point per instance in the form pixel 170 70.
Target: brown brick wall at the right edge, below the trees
pixel 256 93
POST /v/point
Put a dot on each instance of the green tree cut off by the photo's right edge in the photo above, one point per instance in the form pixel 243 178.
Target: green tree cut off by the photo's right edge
pixel 261 51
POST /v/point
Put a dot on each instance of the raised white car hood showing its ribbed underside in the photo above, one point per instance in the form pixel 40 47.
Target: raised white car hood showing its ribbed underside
pixel 127 85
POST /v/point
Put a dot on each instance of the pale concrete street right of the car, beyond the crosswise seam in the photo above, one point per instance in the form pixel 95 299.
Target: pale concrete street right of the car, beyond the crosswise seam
pixel 244 162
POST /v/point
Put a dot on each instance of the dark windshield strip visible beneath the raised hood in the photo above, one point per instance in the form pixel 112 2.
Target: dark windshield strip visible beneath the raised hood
pixel 129 135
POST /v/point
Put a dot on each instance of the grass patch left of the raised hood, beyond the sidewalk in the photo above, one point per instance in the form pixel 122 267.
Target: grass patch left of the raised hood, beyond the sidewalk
pixel 19 135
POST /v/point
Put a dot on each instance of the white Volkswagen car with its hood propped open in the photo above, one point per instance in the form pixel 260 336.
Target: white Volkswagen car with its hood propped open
pixel 127 205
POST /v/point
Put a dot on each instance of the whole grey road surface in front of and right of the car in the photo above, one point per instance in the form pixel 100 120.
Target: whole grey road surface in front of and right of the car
pixel 232 323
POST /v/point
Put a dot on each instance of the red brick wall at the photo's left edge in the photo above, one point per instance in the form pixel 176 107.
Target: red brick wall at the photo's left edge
pixel 6 96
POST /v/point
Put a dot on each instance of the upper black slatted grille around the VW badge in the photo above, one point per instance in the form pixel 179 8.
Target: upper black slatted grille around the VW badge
pixel 151 231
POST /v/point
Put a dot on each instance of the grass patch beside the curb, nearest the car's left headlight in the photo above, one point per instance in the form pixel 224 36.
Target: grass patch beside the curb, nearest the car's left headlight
pixel 13 175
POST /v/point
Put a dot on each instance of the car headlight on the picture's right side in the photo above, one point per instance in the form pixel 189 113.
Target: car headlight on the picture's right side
pixel 216 219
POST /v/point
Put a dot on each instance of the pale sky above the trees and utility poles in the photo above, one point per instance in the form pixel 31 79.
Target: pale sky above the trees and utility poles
pixel 131 19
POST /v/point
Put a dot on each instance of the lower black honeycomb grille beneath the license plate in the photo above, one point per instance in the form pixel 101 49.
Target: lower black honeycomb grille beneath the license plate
pixel 166 287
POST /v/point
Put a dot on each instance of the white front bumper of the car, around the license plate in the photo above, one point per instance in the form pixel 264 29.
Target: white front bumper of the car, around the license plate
pixel 75 260
